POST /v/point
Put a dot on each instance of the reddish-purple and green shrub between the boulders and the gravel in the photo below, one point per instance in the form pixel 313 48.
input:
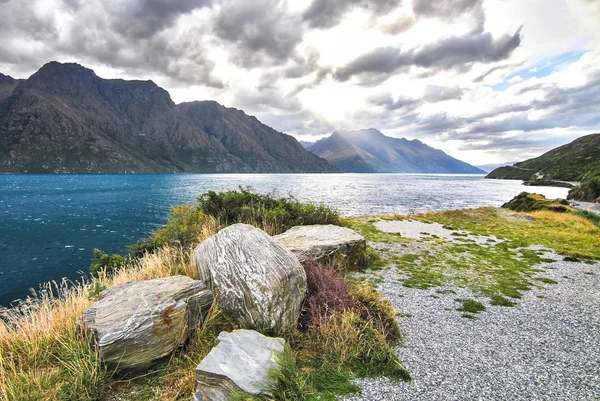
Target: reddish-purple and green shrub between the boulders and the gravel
pixel 348 331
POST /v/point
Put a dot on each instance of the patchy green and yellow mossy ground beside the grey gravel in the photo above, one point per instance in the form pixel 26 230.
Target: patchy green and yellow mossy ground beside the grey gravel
pixel 500 268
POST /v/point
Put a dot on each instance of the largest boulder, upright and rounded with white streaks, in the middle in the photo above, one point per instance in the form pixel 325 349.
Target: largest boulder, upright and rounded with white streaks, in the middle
pixel 259 283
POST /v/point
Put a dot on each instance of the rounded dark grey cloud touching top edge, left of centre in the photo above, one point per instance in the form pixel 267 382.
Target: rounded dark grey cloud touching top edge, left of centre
pixel 260 29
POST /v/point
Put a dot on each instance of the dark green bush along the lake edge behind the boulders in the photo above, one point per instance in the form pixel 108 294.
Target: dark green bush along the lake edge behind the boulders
pixel 274 215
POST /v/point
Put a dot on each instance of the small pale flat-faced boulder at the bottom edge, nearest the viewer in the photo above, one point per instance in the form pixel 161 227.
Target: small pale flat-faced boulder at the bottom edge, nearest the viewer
pixel 240 362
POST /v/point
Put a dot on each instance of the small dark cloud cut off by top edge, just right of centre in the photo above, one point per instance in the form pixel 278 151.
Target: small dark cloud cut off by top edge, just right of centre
pixel 329 13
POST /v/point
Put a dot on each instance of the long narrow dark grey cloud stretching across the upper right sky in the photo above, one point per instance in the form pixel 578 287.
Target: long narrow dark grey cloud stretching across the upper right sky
pixel 458 51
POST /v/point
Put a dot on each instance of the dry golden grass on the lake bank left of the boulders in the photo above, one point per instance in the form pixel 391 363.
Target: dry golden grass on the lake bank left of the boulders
pixel 36 335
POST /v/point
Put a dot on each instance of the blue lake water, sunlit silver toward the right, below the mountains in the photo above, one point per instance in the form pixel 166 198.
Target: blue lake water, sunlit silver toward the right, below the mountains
pixel 49 224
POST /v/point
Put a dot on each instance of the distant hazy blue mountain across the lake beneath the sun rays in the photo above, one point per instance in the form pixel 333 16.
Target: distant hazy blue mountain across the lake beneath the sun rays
pixel 369 151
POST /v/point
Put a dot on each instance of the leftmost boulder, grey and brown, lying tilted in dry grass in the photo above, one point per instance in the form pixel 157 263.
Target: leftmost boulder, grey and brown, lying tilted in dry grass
pixel 138 323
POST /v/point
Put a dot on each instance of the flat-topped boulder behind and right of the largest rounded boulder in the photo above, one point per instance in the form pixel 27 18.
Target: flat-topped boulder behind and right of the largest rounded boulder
pixel 343 247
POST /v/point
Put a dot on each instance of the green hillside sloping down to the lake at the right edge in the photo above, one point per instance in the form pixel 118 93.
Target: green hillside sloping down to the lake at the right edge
pixel 572 162
